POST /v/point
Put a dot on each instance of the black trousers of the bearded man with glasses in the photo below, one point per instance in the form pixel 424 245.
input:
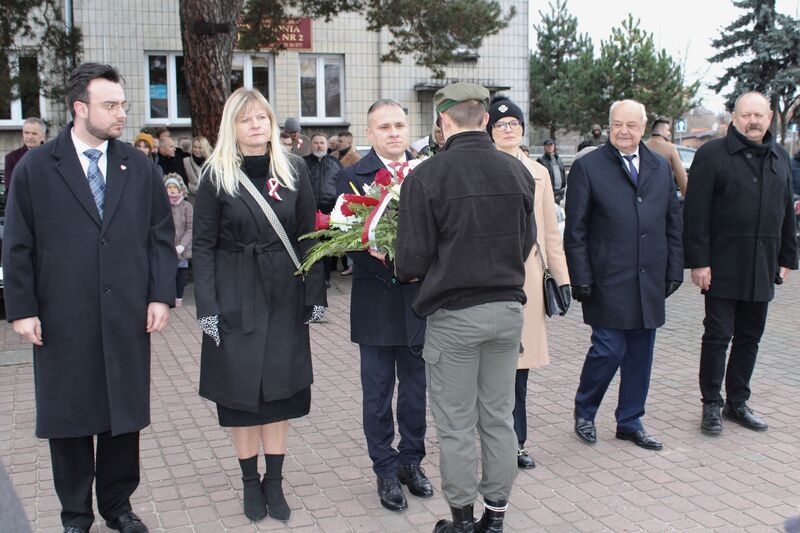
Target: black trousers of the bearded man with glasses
pixel 75 468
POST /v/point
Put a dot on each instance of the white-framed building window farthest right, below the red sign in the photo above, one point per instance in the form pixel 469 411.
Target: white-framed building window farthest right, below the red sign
pixel 321 89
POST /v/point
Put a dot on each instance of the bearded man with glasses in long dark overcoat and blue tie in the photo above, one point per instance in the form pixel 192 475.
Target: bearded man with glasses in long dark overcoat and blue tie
pixel 89 268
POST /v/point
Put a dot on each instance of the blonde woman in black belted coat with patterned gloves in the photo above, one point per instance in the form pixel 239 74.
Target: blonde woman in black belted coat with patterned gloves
pixel 256 357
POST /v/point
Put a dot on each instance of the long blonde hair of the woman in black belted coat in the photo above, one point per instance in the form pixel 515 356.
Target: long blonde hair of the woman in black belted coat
pixel 222 166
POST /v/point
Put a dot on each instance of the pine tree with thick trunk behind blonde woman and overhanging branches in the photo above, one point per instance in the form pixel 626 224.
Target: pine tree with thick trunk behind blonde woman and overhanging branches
pixel 432 32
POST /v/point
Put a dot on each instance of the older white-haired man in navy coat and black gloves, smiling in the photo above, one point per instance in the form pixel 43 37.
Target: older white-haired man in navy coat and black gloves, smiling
pixel 623 247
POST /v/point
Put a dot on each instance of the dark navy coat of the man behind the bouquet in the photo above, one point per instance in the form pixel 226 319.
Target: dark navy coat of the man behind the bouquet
pixel 380 306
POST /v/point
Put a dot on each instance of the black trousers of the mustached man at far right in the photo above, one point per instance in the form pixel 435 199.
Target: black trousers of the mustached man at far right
pixel 726 319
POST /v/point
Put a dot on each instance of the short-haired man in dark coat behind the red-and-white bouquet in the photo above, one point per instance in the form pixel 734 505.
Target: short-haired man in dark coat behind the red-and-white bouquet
pixel 389 334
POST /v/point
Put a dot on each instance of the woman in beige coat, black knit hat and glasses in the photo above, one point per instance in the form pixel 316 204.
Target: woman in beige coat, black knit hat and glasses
pixel 506 126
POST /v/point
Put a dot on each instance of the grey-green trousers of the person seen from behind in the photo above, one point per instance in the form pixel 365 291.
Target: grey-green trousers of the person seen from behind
pixel 471 363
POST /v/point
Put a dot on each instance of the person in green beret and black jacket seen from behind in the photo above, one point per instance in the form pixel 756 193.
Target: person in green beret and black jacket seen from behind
pixel 465 228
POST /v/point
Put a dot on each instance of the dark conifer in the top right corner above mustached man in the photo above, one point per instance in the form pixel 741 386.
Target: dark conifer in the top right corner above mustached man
pixel 767 44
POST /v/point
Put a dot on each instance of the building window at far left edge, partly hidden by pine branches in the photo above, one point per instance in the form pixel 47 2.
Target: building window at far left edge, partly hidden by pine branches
pixel 27 100
